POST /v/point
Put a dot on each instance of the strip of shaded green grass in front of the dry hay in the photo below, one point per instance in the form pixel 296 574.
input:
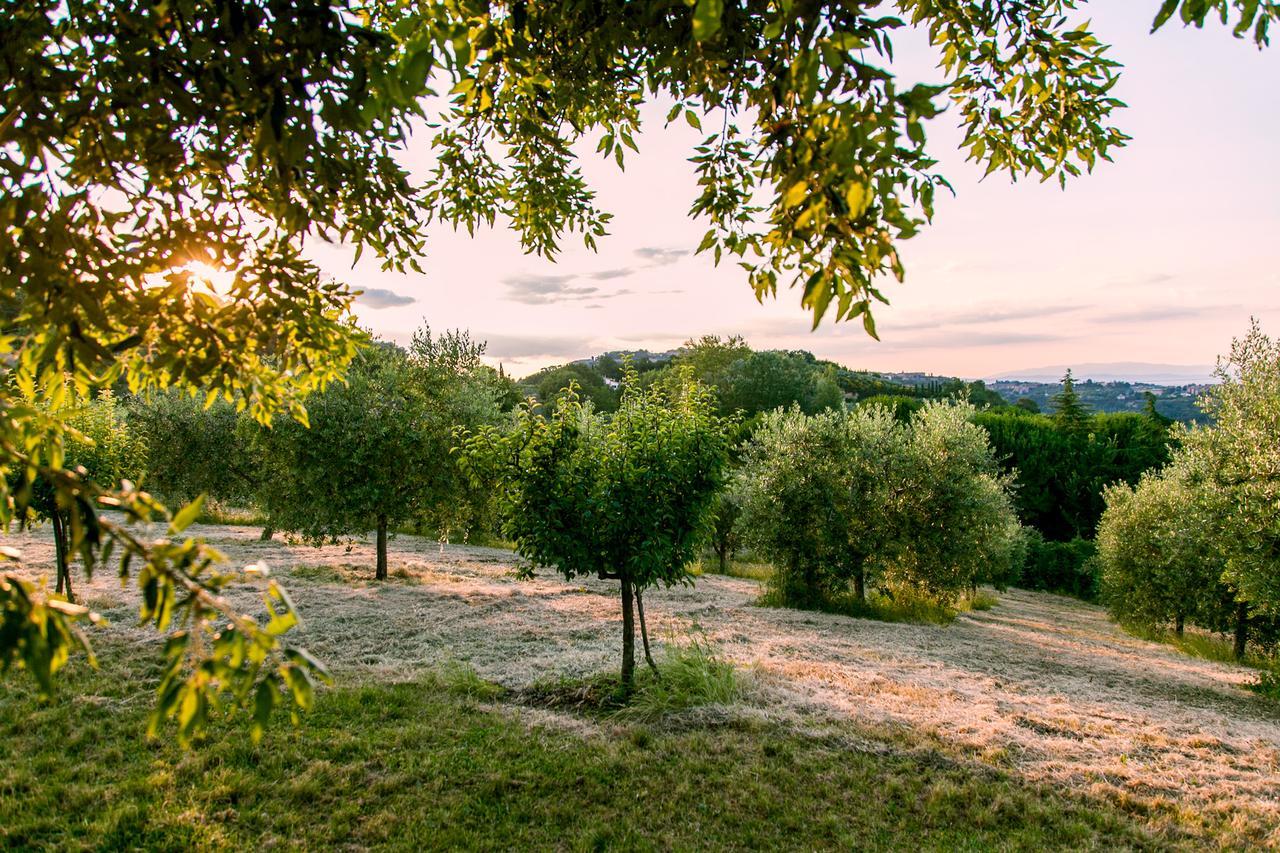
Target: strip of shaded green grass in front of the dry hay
pixel 435 765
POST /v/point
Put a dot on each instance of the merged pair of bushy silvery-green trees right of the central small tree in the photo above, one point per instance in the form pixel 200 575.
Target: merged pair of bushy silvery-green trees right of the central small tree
pixel 848 501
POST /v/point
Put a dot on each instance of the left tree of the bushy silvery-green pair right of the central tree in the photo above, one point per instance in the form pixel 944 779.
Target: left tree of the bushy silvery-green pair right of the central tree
pixel 820 500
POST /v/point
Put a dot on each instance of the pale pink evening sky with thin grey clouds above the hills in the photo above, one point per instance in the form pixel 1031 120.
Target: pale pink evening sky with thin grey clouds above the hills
pixel 1159 258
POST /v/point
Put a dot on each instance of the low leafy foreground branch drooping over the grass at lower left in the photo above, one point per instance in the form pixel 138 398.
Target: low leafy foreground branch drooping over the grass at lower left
pixel 216 659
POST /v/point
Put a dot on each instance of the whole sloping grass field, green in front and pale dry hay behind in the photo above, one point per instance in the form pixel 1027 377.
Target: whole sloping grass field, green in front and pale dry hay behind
pixel 1035 724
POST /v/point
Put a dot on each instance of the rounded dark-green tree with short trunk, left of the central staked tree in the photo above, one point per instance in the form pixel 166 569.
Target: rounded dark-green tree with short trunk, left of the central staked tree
pixel 378 450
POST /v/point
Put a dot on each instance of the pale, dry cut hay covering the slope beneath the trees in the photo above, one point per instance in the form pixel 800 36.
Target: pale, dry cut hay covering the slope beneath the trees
pixel 1043 686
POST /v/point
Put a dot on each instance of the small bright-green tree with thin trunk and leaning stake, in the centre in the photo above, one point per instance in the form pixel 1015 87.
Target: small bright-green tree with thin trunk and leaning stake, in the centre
pixel 627 498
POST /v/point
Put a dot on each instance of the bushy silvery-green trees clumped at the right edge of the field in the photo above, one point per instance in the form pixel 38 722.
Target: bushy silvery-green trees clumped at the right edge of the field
pixel 1196 542
